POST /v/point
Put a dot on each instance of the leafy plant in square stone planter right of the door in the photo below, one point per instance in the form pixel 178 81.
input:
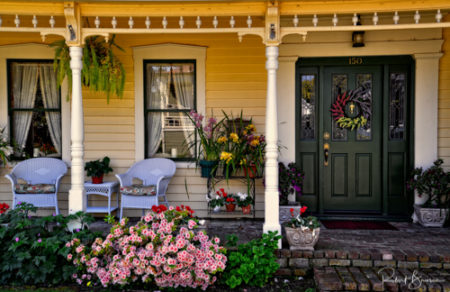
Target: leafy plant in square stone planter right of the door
pixel 434 183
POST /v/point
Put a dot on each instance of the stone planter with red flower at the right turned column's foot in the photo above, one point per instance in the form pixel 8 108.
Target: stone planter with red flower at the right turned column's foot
pixel 302 232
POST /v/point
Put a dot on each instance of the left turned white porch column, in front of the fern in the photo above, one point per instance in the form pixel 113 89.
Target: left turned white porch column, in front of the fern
pixel 76 193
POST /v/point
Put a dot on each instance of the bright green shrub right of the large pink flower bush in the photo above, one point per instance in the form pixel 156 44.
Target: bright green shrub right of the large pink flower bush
pixel 253 263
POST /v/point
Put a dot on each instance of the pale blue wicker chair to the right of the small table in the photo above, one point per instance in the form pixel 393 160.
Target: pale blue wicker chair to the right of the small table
pixel 155 174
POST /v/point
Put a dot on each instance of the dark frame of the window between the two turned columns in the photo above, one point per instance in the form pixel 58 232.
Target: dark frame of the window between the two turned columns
pixel 147 110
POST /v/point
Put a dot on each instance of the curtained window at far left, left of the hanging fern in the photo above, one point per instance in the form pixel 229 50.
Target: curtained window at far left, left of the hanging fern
pixel 34 104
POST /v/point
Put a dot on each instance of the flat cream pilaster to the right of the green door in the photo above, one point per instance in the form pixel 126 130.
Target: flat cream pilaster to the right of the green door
pixel 426 112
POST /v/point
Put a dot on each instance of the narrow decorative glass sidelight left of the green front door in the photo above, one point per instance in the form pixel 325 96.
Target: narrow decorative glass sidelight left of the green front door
pixel 308 100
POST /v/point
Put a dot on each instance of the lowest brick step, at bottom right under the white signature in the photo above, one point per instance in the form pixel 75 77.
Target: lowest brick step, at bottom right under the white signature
pixel 381 279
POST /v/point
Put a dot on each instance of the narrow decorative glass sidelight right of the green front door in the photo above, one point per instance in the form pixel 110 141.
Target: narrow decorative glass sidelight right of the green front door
pixel 397 94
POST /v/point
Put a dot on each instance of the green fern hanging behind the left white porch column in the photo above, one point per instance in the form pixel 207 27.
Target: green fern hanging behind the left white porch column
pixel 102 70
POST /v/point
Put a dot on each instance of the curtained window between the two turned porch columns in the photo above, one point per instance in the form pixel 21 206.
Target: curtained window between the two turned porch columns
pixel 169 95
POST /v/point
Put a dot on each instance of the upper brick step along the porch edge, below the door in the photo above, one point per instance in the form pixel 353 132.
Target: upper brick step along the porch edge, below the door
pixel 298 262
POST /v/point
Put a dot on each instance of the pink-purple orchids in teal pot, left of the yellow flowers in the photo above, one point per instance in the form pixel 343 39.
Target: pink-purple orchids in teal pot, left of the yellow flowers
pixel 209 148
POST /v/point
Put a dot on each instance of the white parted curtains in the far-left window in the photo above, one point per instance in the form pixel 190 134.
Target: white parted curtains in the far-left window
pixel 25 77
